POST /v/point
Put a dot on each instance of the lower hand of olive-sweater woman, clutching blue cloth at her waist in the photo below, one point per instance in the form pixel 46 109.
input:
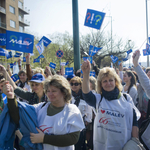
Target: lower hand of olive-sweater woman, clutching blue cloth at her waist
pixel 37 137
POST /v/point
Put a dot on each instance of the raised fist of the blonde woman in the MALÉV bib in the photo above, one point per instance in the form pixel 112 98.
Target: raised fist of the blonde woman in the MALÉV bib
pixel 86 67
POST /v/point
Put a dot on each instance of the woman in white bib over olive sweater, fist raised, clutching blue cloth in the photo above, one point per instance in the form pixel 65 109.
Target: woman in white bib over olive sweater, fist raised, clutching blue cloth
pixel 59 121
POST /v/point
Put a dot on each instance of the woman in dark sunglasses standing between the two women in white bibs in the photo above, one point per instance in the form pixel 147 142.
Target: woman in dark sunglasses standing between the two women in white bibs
pixel 85 109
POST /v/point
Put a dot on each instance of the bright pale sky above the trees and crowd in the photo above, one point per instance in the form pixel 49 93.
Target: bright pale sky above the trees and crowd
pixel 128 18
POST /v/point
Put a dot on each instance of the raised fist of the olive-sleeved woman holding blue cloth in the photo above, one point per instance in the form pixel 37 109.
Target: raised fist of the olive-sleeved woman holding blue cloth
pixel 8 90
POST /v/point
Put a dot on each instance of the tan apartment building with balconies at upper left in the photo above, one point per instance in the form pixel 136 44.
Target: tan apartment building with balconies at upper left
pixel 12 14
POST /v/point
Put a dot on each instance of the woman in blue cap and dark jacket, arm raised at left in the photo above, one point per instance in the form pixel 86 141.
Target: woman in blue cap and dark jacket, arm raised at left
pixel 36 84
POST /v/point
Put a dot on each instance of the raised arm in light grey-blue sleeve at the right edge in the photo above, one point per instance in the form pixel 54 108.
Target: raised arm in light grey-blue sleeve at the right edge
pixel 143 78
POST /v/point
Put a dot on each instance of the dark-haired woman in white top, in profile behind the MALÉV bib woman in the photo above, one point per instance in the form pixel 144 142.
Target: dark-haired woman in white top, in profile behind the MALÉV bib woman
pixel 130 85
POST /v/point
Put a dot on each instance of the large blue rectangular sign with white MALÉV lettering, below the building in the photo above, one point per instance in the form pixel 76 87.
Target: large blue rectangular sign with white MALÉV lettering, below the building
pixel 19 41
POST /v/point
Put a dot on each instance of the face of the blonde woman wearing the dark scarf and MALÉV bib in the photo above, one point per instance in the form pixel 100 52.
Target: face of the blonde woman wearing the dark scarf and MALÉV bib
pixel 108 83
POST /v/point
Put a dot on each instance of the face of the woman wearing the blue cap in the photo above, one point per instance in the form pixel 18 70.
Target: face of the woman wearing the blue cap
pixel 37 87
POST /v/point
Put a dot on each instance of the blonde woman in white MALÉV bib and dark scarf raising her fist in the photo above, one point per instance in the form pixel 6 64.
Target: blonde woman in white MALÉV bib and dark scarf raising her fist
pixel 116 119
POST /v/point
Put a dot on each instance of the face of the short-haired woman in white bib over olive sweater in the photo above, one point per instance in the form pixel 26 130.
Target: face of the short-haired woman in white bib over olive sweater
pixel 55 96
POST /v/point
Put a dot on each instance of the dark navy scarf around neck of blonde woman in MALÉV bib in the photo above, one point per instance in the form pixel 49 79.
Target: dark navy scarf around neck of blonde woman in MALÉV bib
pixel 111 95
